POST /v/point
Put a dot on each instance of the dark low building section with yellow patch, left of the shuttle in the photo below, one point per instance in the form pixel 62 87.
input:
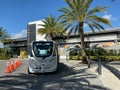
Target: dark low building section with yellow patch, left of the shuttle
pixel 17 47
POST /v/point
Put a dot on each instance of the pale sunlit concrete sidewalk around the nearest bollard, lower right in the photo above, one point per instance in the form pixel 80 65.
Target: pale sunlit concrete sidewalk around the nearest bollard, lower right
pixel 107 77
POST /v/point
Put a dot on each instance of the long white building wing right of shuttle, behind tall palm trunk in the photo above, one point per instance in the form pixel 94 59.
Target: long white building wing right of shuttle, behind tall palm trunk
pixel 108 39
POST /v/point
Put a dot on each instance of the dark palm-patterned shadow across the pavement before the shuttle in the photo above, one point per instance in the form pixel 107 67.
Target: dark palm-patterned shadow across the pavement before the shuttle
pixel 64 79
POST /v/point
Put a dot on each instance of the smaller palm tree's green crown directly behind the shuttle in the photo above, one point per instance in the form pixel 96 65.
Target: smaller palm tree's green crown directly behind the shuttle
pixel 51 27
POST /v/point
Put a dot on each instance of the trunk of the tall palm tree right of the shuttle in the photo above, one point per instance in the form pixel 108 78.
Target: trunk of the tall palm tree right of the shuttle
pixel 84 57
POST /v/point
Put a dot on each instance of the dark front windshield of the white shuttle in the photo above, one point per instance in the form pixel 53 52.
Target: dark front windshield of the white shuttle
pixel 42 49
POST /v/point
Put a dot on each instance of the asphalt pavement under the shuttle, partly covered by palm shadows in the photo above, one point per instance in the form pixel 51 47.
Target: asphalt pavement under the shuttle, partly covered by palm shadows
pixel 71 75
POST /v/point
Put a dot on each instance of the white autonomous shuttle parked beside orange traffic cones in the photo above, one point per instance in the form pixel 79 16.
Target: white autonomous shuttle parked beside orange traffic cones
pixel 44 57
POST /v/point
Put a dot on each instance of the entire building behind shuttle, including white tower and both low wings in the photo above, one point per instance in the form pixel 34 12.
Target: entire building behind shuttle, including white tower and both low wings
pixel 107 38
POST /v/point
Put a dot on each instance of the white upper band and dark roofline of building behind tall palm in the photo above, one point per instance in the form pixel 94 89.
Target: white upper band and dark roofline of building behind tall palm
pixel 91 39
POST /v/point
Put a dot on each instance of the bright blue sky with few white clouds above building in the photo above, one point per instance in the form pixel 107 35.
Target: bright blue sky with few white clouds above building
pixel 16 14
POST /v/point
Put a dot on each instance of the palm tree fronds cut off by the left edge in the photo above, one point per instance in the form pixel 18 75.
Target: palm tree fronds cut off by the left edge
pixel 4 36
